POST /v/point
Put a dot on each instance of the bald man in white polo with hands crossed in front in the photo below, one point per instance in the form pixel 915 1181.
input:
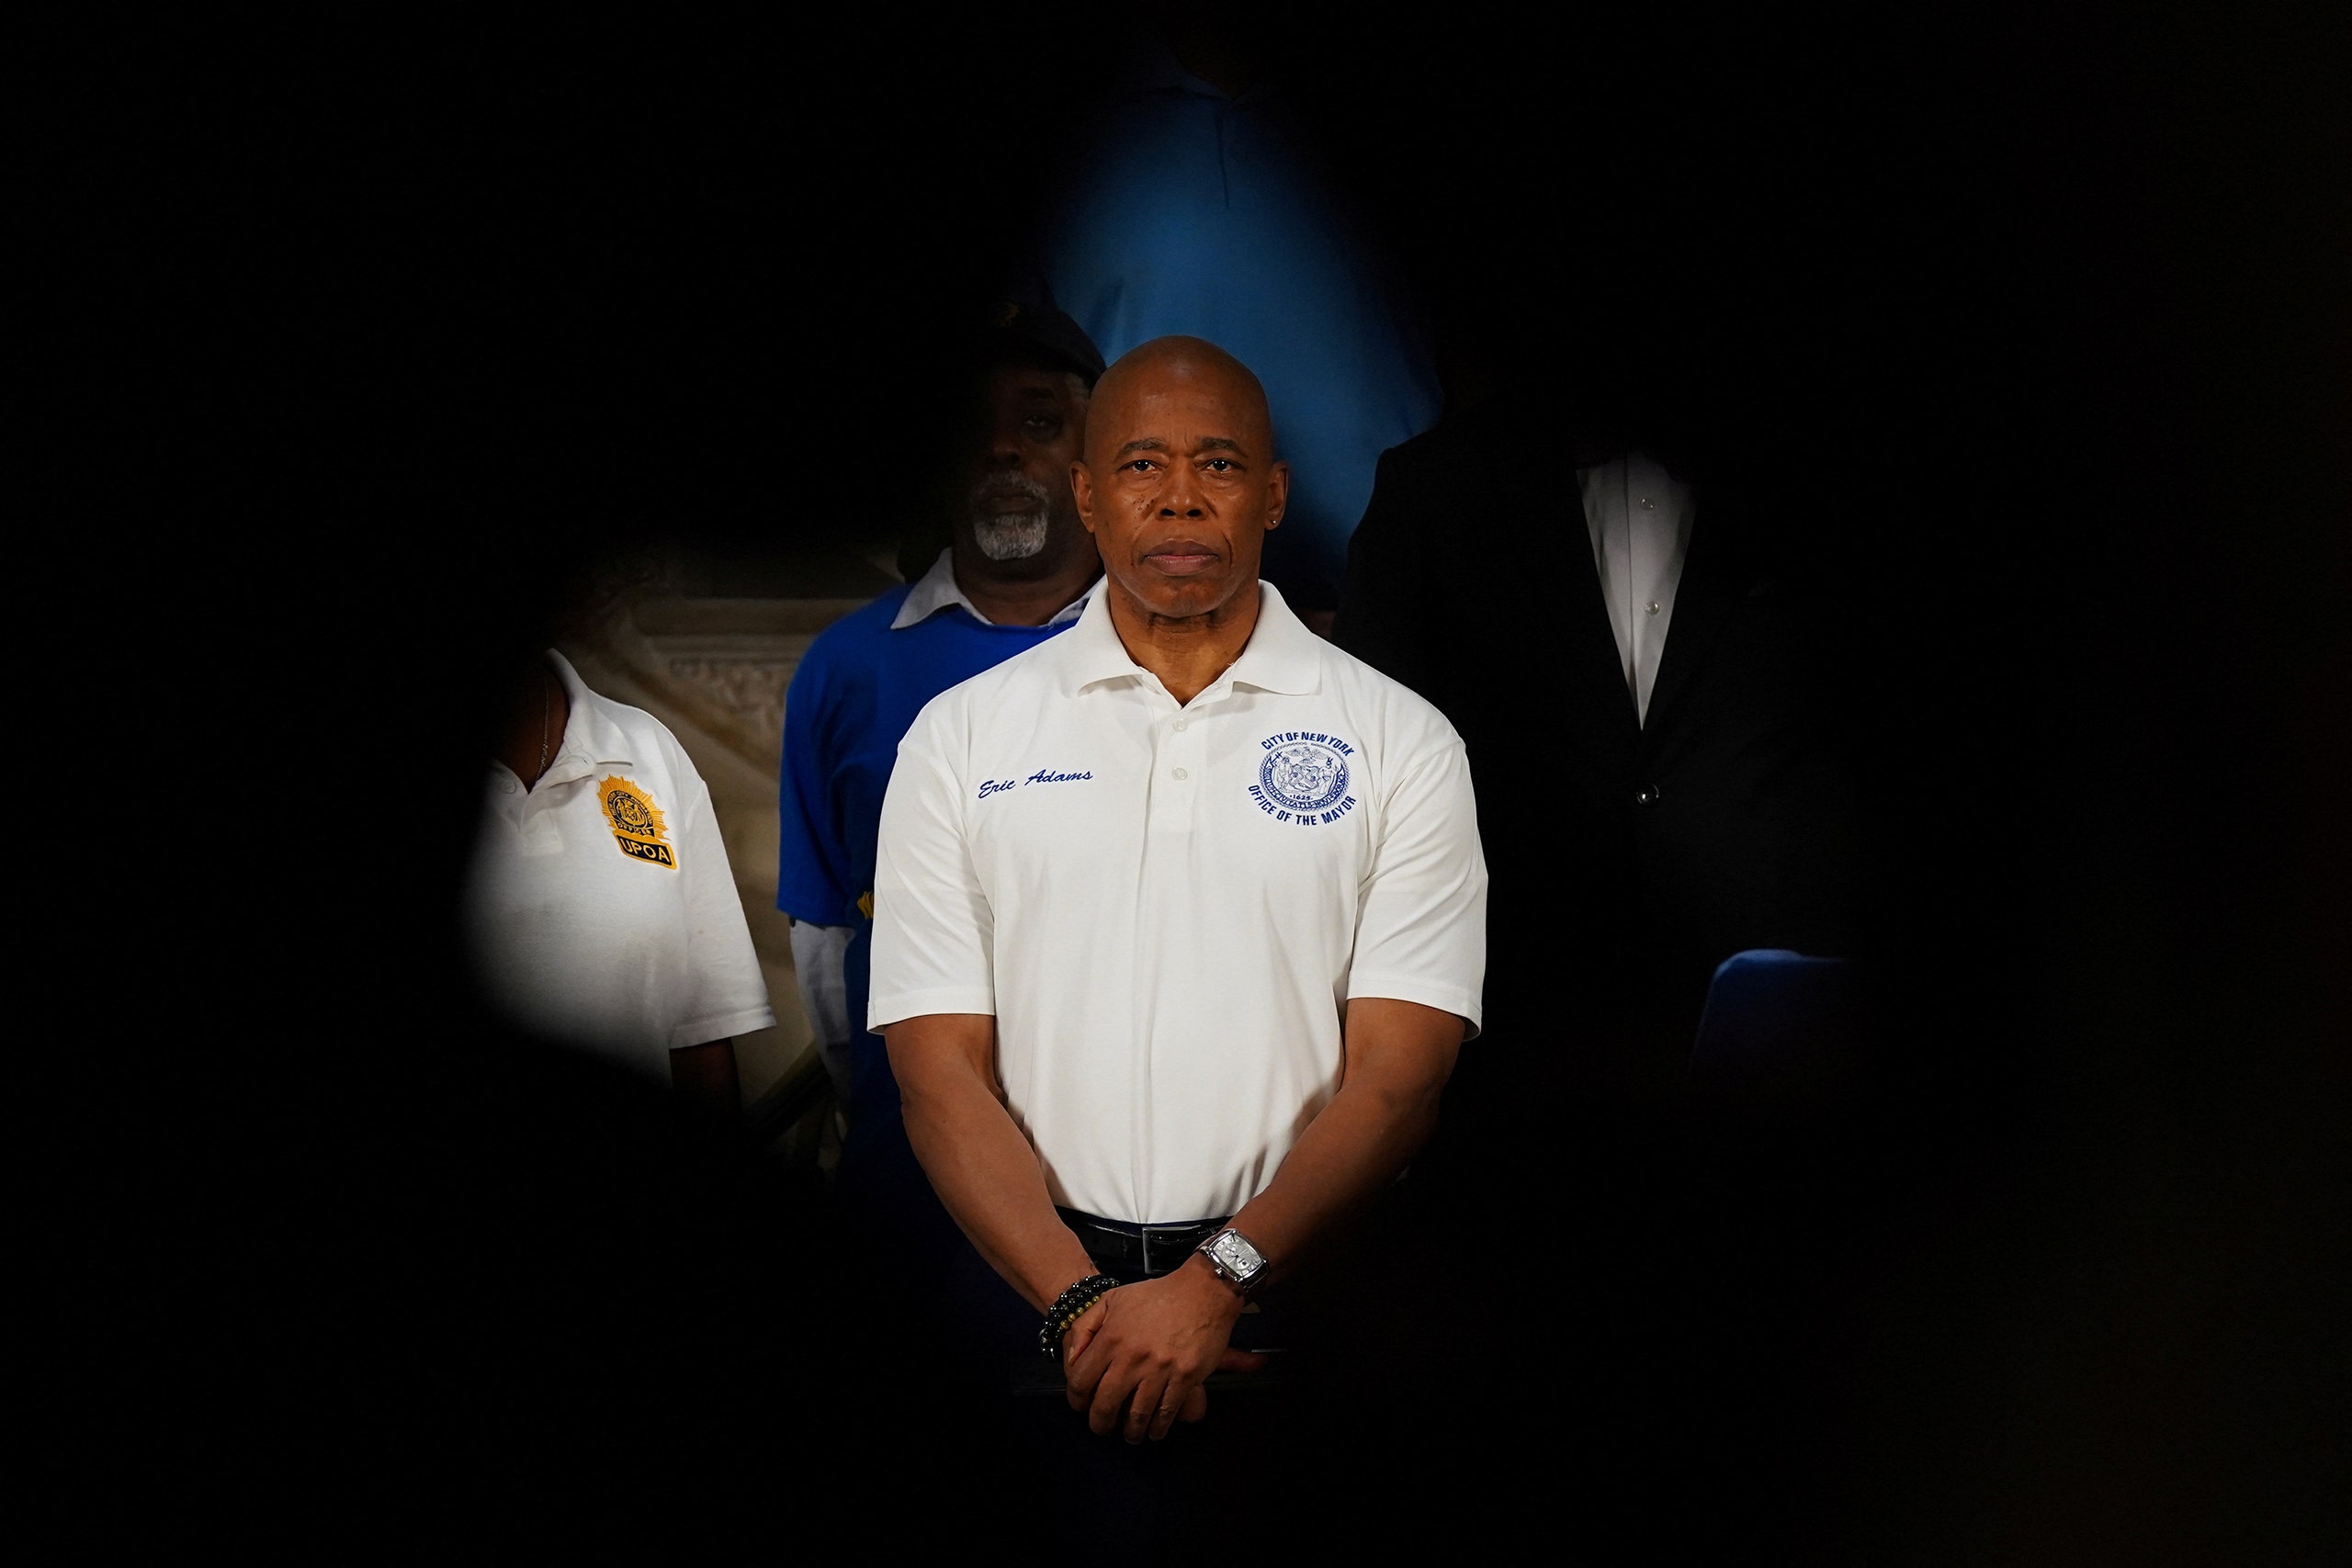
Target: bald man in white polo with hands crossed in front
pixel 1180 918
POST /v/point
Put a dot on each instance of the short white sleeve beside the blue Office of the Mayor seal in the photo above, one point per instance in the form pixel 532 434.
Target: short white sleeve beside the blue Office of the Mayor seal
pixel 1422 920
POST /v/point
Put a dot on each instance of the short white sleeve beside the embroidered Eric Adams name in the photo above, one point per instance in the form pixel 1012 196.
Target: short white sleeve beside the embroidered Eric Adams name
pixel 935 932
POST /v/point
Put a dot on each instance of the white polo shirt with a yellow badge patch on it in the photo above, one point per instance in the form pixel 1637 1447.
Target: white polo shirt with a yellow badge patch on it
pixel 601 904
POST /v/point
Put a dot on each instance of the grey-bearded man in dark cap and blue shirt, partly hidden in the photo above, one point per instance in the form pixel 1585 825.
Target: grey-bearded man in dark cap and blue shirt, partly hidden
pixel 1017 570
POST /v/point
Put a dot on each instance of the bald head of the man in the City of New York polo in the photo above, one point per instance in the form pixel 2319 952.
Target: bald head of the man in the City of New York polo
pixel 1180 483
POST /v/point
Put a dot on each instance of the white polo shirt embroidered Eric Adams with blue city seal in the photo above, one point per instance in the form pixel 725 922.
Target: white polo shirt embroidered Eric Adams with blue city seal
pixel 1165 909
